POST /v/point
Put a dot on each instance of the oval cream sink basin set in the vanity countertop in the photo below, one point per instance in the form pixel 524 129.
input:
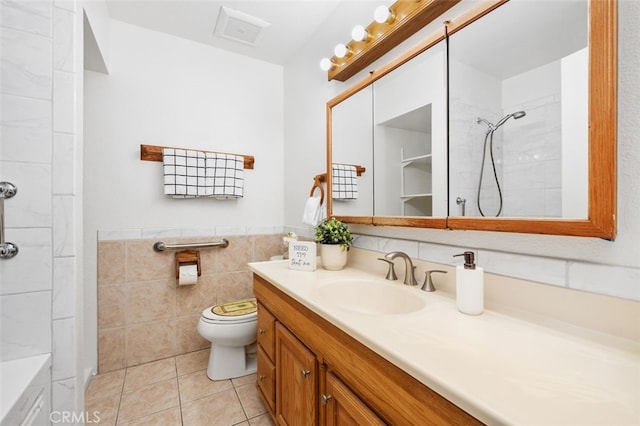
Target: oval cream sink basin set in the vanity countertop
pixel 370 297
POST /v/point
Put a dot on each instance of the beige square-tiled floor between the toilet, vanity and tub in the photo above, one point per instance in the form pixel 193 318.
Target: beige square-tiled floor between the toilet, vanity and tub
pixel 175 391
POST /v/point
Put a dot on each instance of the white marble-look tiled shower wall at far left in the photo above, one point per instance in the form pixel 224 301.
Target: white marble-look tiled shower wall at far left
pixel 40 144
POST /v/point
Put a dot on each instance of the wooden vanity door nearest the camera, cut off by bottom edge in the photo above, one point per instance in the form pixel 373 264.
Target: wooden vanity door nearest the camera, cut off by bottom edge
pixel 343 407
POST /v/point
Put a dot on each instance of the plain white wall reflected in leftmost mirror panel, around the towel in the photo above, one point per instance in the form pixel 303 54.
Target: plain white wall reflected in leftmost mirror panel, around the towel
pixel 352 143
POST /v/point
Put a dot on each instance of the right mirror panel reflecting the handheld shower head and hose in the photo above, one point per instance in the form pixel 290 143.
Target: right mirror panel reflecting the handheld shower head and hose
pixel 518 111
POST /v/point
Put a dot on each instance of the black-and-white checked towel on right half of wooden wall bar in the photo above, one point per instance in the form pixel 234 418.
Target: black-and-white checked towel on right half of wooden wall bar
pixel 225 175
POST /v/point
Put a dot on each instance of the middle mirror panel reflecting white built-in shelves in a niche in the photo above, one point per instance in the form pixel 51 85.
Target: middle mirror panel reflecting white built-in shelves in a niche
pixel 410 137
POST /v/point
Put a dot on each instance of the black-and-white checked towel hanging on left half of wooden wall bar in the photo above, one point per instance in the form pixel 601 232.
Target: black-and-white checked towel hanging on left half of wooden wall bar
pixel 184 173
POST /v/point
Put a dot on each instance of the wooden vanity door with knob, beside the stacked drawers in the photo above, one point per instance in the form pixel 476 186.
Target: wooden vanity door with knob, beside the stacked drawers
pixel 296 381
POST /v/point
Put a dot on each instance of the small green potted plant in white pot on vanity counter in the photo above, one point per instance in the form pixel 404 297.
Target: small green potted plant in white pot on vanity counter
pixel 334 238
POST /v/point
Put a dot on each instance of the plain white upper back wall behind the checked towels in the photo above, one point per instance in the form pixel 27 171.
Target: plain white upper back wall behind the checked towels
pixel 162 90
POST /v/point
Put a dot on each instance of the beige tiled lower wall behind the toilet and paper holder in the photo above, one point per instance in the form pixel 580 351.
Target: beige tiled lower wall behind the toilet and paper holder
pixel 144 315
